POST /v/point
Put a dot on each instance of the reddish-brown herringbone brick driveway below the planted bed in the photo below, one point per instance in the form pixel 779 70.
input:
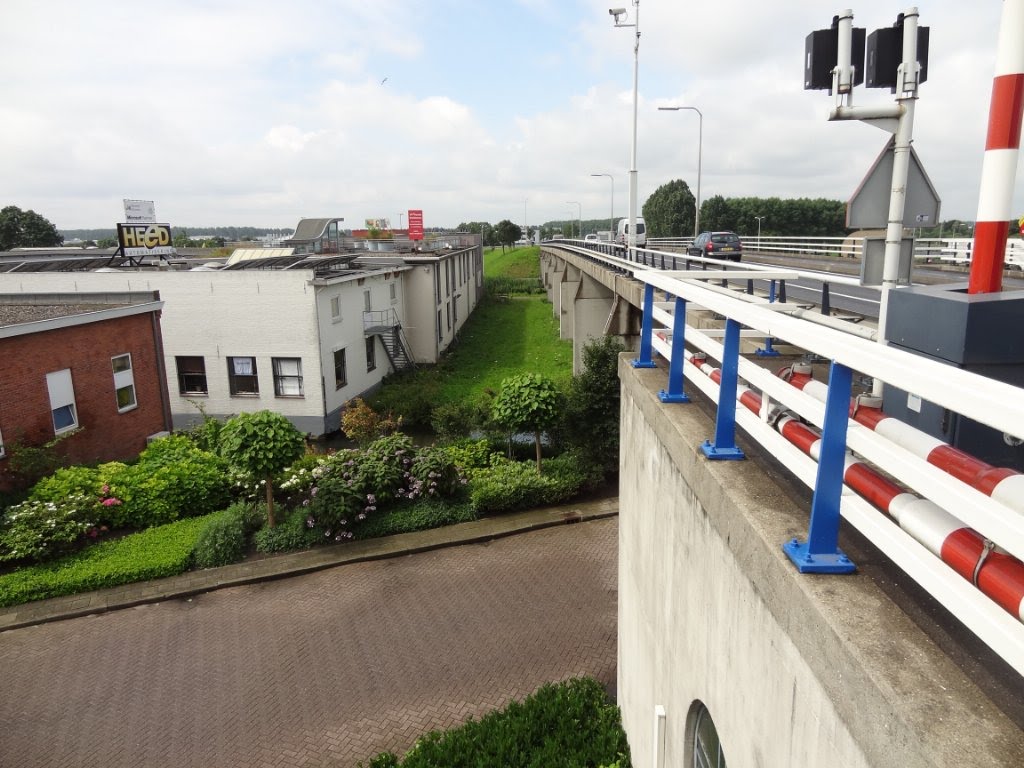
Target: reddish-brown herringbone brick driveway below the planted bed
pixel 327 669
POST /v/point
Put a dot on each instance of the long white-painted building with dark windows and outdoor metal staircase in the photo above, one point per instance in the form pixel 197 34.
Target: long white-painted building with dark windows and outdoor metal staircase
pixel 302 335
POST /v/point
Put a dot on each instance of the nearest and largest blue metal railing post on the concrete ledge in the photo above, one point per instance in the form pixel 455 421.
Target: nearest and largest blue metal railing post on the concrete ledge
pixel 822 553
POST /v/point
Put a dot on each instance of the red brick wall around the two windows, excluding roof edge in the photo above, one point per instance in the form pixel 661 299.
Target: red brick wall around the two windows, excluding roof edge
pixel 87 350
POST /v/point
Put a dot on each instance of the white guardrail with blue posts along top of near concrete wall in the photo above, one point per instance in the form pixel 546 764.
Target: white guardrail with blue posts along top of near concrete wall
pixel 937 499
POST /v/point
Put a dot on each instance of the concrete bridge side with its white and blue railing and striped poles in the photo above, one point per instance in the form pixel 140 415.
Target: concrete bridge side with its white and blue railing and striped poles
pixel 804 580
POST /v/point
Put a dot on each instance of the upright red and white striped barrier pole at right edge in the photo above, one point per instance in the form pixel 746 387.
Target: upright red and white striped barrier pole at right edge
pixel 1002 148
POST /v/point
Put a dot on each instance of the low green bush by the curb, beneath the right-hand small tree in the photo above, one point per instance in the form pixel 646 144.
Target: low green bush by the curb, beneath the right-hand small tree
pixel 510 486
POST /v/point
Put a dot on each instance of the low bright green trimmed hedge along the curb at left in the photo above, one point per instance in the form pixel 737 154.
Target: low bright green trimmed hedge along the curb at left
pixel 159 552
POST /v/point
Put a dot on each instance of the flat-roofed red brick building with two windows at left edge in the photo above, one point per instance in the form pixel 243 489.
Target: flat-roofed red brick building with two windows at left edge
pixel 89 367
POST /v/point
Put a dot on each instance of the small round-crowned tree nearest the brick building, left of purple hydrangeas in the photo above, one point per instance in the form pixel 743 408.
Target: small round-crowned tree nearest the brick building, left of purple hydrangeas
pixel 263 444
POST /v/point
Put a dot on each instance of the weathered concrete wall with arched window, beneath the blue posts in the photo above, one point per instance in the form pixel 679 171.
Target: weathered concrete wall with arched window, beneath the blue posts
pixel 795 670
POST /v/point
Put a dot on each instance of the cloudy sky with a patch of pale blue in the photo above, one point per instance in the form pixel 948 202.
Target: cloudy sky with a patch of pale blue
pixel 260 114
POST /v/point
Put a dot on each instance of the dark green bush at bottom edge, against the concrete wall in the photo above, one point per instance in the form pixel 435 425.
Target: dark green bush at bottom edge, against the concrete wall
pixel 563 726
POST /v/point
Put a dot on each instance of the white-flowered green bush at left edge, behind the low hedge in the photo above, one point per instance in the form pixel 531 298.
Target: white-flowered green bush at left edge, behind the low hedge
pixel 41 530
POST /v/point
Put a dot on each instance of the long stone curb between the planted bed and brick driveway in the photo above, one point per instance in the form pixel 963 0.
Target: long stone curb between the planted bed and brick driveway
pixel 298 564
